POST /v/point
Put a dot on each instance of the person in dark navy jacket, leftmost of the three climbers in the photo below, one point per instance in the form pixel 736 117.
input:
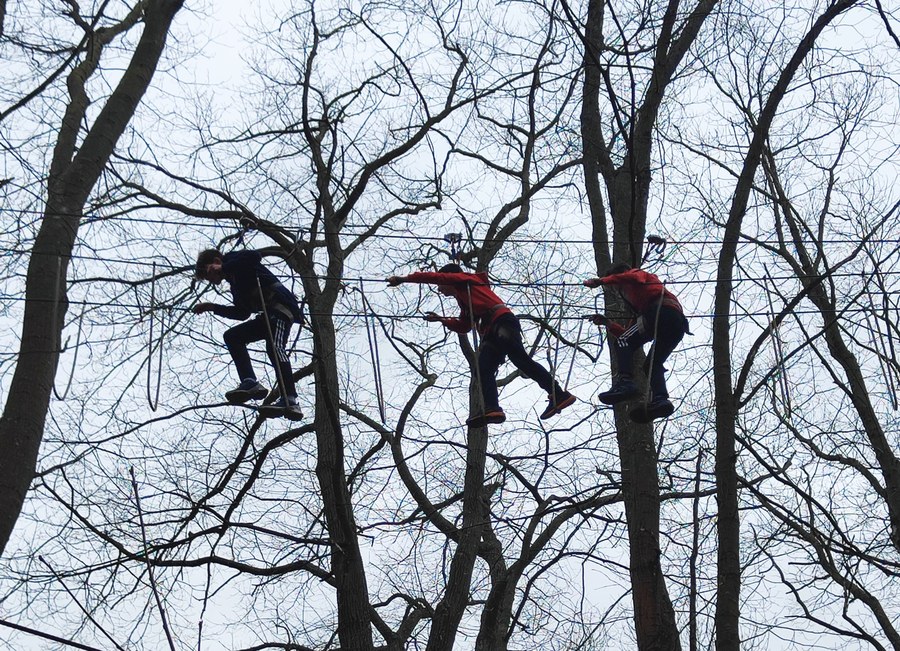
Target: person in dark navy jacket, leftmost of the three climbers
pixel 247 277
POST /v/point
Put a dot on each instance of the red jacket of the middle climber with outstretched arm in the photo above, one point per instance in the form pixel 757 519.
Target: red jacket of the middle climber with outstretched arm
pixel 466 287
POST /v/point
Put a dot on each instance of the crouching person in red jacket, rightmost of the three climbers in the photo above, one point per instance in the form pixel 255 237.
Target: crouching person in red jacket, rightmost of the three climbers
pixel 660 318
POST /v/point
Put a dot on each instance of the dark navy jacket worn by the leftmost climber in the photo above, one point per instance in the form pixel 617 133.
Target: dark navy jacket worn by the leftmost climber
pixel 241 269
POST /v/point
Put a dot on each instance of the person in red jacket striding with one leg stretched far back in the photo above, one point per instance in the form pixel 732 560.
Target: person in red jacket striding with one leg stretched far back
pixel 501 337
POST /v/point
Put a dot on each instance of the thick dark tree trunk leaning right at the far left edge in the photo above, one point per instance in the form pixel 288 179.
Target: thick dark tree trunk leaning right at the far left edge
pixel 72 178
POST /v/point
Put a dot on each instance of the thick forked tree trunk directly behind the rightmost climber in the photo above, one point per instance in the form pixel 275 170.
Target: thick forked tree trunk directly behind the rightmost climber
pixel 628 190
